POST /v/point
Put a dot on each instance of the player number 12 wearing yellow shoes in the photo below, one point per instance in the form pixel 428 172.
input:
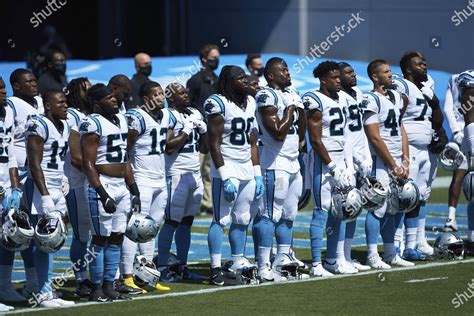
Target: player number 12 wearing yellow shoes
pixel 147 127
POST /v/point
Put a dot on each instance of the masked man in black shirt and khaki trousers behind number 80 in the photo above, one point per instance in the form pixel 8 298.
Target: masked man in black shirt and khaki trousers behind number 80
pixel 200 87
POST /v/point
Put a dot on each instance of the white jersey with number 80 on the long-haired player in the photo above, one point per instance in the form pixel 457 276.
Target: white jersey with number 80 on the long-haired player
pixel 238 125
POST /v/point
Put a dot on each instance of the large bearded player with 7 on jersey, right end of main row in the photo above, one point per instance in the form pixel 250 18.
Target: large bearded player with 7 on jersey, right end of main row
pixel 422 116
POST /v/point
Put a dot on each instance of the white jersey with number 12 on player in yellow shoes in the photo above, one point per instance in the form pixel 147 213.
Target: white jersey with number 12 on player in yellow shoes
pixel 147 155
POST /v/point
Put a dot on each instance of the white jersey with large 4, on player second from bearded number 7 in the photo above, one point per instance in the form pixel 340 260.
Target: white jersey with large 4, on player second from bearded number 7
pixel 387 108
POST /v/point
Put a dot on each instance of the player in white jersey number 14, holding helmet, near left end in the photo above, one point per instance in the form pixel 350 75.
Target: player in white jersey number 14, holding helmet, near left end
pixel 46 142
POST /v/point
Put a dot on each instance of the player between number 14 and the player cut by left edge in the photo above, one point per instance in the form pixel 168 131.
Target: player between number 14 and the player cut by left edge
pixel 25 102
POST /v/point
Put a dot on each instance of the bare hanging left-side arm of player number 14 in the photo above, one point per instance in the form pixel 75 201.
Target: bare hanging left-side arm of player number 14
pixel 35 147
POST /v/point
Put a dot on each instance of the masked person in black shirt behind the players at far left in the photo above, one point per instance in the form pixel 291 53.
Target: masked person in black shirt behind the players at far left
pixel 55 76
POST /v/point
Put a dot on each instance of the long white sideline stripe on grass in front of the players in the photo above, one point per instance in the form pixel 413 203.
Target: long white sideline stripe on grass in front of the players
pixel 230 288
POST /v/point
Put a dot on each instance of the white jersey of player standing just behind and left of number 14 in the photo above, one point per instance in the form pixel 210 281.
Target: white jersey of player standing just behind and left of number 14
pixel 22 111
